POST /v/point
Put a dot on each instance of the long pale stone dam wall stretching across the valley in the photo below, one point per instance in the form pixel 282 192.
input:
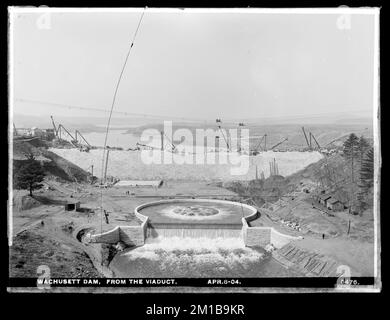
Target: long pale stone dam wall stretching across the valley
pixel 128 165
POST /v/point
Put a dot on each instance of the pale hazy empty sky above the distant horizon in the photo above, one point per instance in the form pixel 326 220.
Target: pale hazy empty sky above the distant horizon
pixel 194 65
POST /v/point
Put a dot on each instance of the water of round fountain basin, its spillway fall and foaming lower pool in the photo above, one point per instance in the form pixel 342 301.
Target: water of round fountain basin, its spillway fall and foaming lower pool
pixel 195 238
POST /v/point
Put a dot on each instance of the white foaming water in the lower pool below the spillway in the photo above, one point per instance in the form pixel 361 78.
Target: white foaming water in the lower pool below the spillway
pixel 196 258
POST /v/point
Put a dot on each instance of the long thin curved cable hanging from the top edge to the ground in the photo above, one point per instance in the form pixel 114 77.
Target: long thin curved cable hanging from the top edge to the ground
pixel 110 116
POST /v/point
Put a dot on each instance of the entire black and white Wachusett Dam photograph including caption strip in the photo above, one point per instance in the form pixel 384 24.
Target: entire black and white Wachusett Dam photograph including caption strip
pixel 194 149
